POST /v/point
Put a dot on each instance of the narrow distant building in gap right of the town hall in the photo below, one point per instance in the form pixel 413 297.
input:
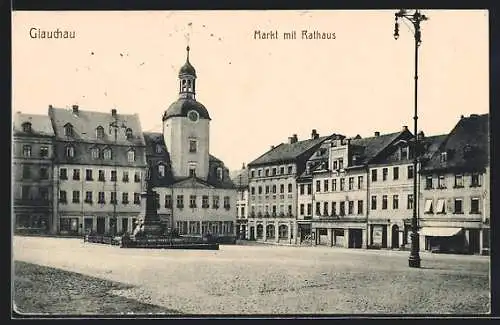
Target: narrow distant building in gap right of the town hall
pixel 240 180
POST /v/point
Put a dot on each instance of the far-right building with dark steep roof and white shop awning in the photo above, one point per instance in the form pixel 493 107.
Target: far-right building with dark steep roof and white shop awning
pixel 455 203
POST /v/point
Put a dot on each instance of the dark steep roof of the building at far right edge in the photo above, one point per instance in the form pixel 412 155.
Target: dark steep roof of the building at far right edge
pixel 466 146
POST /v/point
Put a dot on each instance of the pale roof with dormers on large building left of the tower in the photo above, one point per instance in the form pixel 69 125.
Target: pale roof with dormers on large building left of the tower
pixel 85 123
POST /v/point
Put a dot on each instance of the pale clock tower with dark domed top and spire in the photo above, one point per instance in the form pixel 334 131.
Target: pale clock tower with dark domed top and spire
pixel 186 128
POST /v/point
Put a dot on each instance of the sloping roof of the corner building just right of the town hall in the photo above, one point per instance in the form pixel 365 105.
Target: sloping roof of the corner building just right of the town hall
pixel 285 152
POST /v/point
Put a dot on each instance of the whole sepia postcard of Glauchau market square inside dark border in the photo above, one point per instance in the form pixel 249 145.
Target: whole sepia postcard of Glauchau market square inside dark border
pixel 250 163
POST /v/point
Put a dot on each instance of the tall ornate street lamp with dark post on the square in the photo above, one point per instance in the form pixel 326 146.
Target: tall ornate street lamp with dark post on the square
pixel 415 19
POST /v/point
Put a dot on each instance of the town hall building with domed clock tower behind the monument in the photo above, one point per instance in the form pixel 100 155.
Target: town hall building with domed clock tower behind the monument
pixel 194 189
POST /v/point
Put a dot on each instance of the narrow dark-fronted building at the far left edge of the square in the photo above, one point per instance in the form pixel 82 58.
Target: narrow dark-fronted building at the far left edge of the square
pixel 32 153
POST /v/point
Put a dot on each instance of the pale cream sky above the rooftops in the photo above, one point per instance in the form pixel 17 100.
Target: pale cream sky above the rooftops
pixel 258 91
